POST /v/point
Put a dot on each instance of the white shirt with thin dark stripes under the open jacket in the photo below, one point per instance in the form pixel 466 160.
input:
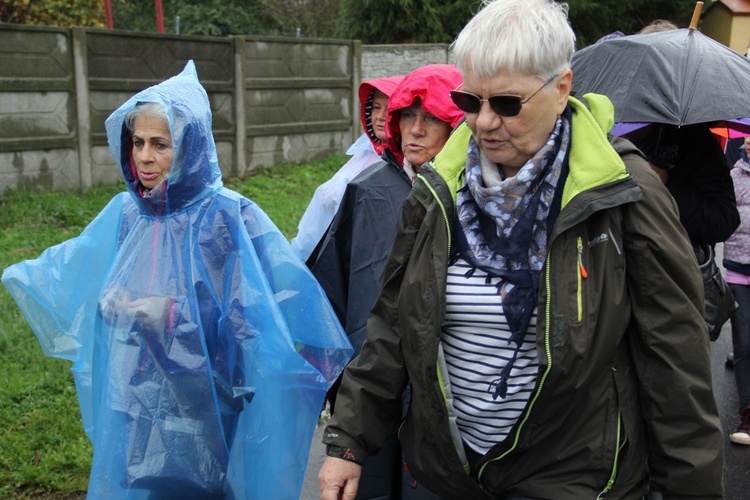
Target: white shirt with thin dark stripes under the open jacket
pixel 476 346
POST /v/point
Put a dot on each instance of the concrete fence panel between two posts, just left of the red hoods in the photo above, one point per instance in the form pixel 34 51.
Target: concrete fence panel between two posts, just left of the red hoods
pixel 298 99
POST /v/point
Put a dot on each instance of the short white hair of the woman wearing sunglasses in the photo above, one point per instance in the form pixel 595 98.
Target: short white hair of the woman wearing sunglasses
pixel 531 37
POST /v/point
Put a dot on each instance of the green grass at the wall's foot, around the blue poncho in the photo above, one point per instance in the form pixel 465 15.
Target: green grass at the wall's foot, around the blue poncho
pixel 44 452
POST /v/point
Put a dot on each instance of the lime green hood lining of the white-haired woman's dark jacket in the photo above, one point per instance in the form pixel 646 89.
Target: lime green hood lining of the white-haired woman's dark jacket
pixel 592 160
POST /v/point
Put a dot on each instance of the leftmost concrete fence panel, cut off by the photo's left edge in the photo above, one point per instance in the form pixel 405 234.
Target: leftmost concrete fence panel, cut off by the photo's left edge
pixel 37 109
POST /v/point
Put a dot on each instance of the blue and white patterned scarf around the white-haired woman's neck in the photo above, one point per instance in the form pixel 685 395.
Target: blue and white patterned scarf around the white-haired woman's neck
pixel 503 228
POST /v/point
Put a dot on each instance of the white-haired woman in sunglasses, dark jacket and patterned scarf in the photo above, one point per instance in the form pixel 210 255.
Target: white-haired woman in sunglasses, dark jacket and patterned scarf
pixel 541 297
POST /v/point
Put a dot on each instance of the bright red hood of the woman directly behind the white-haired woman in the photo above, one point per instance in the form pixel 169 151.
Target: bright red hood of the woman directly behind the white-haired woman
pixel 432 85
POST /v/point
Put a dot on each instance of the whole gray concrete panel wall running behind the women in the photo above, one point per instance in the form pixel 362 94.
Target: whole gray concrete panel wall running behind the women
pixel 273 99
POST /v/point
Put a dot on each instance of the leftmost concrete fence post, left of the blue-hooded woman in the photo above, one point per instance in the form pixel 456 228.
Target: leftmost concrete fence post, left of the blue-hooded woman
pixel 83 116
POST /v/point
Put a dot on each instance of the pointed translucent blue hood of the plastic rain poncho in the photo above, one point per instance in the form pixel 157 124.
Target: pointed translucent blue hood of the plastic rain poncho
pixel 195 170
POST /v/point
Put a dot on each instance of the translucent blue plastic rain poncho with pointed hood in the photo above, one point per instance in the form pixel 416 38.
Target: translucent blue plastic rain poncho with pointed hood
pixel 202 346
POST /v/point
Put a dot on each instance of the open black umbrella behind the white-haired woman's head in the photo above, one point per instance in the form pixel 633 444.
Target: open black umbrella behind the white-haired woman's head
pixel 677 77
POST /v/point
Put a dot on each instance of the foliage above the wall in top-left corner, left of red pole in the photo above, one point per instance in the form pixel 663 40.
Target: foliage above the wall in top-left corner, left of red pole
pixel 53 12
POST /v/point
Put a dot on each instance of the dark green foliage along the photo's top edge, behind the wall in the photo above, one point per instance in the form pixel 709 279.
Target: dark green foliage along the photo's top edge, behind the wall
pixel 372 21
